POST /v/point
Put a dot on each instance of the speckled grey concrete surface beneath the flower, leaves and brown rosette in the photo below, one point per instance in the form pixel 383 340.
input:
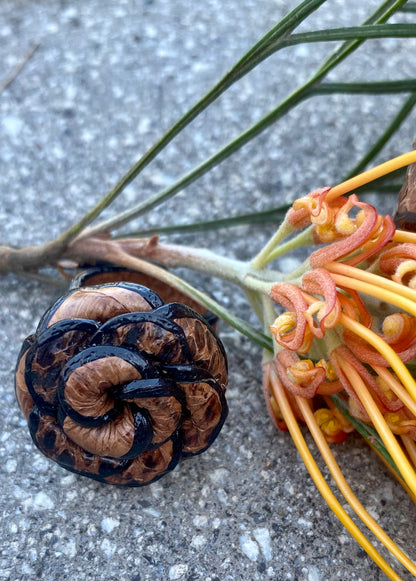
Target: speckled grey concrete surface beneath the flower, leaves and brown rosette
pixel 107 79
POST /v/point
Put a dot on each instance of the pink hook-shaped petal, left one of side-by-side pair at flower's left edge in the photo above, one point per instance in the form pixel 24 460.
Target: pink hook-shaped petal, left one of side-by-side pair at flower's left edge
pixel 291 297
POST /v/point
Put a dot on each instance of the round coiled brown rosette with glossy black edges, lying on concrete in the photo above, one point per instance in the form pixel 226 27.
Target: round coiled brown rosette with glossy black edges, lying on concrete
pixel 118 385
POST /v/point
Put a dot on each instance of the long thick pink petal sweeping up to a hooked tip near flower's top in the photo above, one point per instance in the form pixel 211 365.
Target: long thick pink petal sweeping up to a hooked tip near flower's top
pixel 350 243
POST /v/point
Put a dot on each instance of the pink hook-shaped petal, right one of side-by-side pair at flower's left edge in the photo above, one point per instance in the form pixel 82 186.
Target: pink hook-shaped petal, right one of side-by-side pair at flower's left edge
pixel 319 281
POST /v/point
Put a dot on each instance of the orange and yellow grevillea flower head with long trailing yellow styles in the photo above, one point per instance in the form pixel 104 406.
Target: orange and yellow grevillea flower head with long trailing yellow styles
pixel 345 340
